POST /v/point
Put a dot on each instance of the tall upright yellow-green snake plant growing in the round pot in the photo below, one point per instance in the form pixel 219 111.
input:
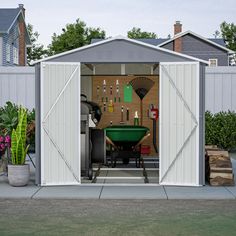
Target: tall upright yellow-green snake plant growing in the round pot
pixel 18 139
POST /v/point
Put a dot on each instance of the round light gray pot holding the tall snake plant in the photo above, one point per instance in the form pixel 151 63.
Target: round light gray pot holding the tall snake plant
pixel 18 175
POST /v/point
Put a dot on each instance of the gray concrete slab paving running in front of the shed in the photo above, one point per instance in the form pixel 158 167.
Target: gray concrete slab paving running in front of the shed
pixel 96 191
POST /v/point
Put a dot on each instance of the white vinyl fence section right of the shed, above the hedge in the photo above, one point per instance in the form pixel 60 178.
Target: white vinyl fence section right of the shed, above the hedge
pixel 220 88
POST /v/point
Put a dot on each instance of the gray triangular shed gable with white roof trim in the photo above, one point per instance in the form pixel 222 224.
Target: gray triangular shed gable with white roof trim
pixel 120 50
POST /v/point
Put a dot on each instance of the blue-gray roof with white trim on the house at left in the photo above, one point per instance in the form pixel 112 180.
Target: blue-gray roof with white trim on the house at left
pixel 8 16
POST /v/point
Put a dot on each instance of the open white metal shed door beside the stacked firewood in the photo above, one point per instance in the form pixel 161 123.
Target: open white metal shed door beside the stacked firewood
pixel 179 123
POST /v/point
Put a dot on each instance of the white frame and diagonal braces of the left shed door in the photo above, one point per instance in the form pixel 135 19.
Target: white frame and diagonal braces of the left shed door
pixel 77 176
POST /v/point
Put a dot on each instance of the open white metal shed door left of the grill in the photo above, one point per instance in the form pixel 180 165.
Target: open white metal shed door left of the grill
pixel 60 123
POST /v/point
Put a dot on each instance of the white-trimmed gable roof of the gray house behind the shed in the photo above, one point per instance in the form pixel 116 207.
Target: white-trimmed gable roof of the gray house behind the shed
pixel 215 42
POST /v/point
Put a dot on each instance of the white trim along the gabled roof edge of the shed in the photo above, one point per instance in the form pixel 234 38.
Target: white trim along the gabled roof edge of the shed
pixel 123 39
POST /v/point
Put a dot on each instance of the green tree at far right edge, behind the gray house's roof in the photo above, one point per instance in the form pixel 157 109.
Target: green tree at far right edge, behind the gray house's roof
pixel 228 31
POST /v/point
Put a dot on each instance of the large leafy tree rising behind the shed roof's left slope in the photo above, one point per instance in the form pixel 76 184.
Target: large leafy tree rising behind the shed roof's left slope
pixel 73 36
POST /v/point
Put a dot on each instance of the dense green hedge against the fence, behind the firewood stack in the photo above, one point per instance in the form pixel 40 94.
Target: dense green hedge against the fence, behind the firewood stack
pixel 220 129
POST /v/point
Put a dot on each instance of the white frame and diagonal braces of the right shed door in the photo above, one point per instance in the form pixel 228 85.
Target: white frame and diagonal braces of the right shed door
pixel 194 114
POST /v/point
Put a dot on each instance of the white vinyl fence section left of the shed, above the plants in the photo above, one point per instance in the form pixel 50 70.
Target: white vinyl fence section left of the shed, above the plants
pixel 17 84
